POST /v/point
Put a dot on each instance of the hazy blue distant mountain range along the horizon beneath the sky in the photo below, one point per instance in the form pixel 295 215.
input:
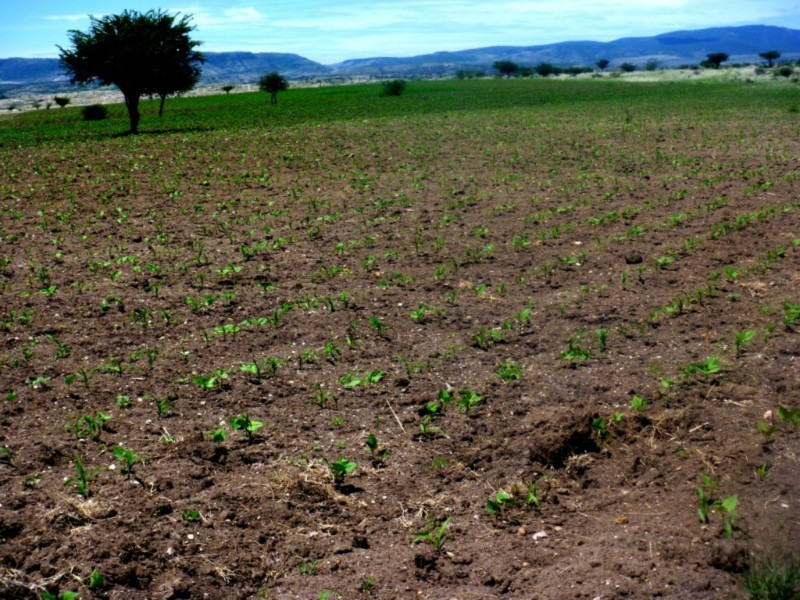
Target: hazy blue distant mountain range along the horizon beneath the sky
pixel 743 44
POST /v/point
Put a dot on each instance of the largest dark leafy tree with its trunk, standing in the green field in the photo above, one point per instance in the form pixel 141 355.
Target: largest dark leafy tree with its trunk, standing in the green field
pixel 141 53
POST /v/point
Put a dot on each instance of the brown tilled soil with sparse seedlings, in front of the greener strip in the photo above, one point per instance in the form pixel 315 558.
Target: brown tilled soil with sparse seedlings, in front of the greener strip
pixel 247 227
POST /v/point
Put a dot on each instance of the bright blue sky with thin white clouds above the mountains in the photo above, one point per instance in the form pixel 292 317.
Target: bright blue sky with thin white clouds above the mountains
pixel 329 32
